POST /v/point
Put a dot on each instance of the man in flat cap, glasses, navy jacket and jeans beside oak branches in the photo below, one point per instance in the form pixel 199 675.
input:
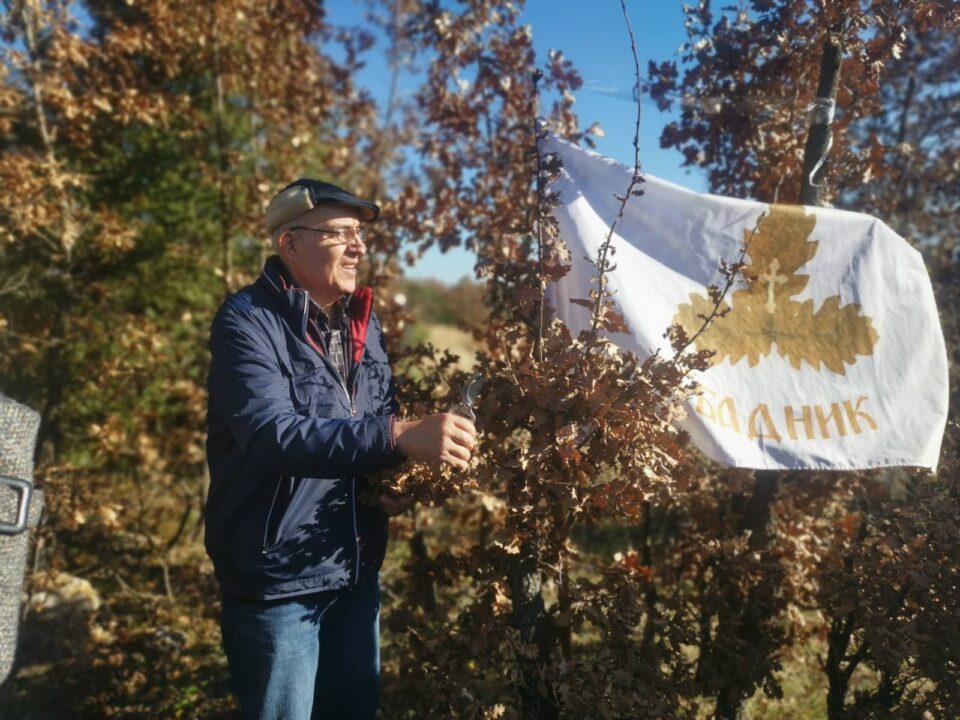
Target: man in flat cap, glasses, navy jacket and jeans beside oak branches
pixel 301 407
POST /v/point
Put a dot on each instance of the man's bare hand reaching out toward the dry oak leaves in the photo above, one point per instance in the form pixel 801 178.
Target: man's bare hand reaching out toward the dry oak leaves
pixel 446 437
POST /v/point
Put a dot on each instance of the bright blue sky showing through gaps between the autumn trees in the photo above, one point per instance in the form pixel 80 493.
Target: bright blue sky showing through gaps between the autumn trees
pixel 592 34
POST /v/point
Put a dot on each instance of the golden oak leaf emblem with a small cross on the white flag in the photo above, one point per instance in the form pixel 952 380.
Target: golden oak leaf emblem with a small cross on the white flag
pixel 763 315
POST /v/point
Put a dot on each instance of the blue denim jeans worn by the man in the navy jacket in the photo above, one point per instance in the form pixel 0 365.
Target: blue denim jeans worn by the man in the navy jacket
pixel 313 657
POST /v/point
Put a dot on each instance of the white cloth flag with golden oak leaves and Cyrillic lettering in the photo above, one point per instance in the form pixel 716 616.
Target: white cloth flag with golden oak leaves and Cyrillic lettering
pixel 831 355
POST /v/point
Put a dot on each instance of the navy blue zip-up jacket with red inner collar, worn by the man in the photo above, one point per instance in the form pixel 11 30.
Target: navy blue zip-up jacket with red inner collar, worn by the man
pixel 288 445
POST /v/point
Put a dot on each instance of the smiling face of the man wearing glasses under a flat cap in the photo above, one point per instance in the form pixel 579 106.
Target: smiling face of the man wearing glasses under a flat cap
pixel 322 263
